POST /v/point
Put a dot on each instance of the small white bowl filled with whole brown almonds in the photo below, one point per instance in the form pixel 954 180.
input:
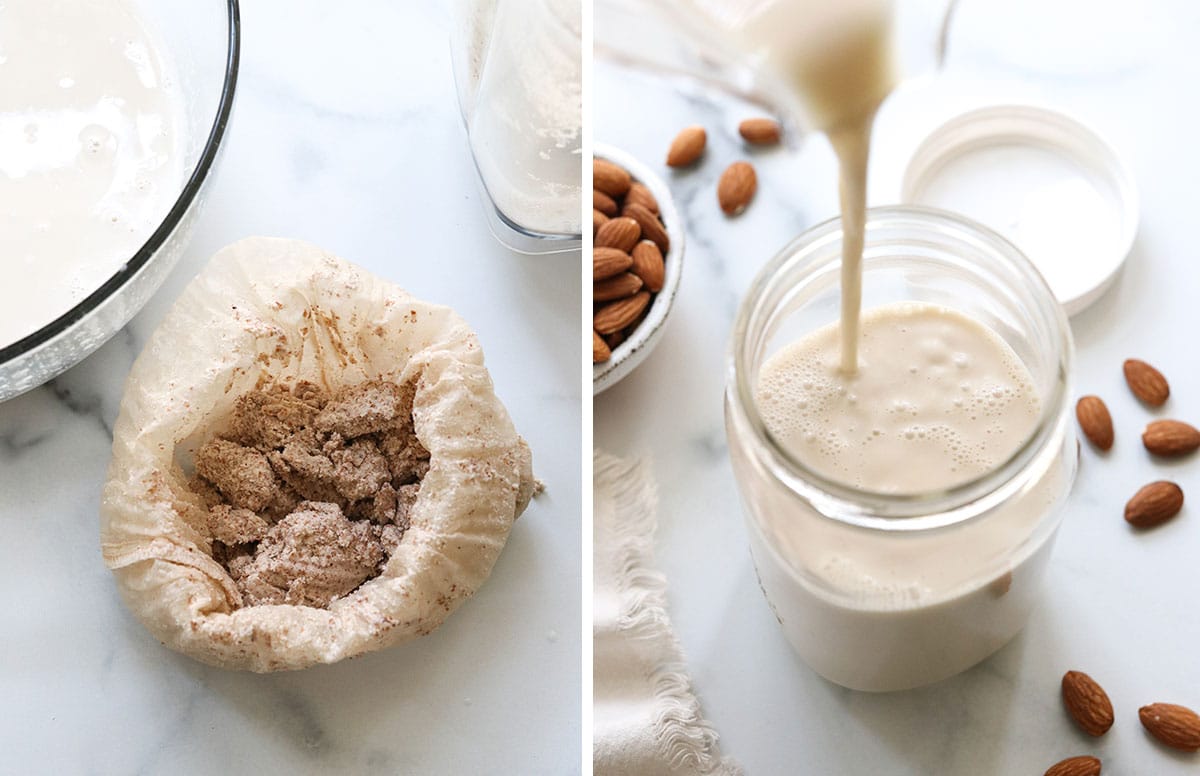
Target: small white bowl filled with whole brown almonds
pixel 637 263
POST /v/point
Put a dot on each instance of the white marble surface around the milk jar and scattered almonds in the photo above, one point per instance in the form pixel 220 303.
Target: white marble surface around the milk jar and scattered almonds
pixel 1118 605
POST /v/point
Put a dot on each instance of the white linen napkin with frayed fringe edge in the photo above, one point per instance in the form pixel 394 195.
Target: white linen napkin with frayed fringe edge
pixel 647 721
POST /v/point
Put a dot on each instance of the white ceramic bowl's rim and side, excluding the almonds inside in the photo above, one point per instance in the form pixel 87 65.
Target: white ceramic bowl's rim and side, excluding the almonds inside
pixel 634 351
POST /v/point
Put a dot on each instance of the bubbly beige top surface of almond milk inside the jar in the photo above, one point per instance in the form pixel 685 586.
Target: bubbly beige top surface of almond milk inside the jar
pixel 938 400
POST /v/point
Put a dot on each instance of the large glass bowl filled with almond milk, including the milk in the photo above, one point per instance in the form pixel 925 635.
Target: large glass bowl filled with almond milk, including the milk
pixel 111 123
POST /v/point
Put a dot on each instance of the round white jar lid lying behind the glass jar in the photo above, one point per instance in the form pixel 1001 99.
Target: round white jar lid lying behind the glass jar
pixel 1040 178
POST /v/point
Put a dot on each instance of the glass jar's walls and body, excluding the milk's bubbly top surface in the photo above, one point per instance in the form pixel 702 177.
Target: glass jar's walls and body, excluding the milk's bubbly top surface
pixel 883 592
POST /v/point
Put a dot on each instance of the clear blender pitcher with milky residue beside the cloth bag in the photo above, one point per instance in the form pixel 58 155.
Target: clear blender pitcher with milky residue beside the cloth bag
pixel 519 68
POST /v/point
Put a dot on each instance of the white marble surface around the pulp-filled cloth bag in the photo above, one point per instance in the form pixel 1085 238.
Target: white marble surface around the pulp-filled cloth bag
pixel 346 134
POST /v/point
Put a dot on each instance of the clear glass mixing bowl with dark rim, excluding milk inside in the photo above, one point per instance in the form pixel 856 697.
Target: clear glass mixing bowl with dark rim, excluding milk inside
pixel 203 40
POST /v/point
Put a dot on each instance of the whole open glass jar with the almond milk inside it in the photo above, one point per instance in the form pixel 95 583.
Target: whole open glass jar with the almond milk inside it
pixel 902 516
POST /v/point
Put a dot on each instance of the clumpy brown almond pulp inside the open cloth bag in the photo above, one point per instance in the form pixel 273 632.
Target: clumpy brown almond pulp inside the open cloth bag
pixel 309 494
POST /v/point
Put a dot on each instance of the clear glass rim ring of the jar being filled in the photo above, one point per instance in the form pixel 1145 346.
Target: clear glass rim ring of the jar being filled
pixel 908 512
